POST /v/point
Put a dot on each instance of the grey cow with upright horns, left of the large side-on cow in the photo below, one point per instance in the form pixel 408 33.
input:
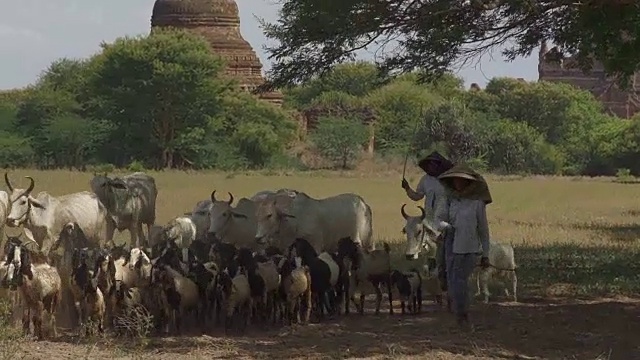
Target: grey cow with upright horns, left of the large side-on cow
pixel 234 225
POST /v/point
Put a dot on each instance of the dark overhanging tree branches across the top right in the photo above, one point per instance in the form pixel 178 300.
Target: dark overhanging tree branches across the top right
pixel 435 35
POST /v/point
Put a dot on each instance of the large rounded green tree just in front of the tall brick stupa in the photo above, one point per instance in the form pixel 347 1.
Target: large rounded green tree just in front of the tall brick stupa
pixel 157 90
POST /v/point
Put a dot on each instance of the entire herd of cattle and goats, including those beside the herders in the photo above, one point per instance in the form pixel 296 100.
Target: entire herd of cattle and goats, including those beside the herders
pixel 277 256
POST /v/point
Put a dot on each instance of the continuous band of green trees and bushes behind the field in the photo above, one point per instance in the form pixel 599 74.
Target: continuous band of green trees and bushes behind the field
pixel 161 101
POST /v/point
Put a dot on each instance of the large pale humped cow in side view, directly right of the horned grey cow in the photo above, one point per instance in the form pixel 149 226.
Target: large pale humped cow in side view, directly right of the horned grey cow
pixel 281 218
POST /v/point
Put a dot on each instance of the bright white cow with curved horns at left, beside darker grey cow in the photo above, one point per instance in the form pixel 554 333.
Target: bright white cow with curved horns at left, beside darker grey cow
pixel 44 216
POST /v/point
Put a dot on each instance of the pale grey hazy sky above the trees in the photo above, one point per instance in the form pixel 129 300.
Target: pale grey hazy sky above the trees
pixel 33 33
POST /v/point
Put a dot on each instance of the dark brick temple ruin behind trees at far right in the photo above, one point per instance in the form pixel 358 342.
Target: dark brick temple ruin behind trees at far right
pixel 621 103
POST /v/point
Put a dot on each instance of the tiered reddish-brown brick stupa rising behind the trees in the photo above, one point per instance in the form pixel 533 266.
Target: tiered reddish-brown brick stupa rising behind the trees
pixel 218 21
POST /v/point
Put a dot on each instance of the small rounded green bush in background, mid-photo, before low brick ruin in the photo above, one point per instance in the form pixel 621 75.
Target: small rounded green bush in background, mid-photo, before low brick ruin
pixel 339 140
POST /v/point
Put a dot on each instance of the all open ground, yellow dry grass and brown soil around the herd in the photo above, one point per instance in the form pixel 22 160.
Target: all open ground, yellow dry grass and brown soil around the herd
pixel 576 245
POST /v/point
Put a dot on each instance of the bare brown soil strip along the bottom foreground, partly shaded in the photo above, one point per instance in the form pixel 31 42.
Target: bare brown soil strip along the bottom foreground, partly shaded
pixel 533 329
